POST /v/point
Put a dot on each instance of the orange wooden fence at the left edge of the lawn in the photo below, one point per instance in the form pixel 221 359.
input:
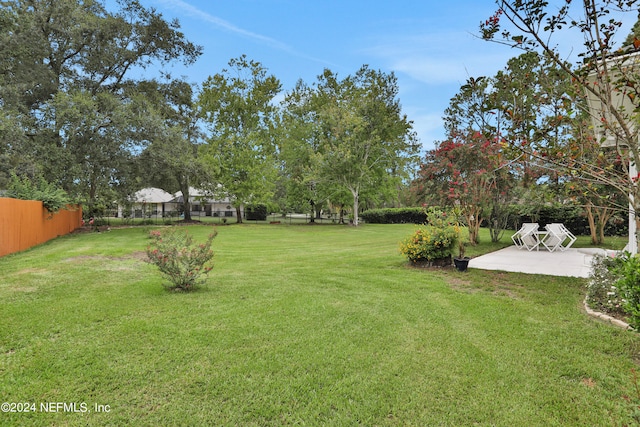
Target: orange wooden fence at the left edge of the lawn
pixel 26 223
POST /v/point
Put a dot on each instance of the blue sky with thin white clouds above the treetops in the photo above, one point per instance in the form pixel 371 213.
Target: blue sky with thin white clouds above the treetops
pixel 431 46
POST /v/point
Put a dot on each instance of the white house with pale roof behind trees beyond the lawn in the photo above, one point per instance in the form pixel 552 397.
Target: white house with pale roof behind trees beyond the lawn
pixel 155 202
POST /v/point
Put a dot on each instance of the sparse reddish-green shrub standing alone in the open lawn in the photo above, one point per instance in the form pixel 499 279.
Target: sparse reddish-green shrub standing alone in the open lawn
pixel 179 259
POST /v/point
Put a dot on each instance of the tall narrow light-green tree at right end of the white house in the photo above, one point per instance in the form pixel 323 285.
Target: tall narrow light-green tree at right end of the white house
pixel 239 110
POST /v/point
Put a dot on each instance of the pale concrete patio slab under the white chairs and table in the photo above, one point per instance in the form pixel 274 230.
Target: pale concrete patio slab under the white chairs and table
pixel 571 262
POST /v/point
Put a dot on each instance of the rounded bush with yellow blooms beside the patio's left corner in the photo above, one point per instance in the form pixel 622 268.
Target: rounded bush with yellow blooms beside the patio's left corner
pixel 437 239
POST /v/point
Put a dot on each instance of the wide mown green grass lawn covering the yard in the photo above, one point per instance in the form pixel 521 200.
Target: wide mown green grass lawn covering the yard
pixel 312 325
